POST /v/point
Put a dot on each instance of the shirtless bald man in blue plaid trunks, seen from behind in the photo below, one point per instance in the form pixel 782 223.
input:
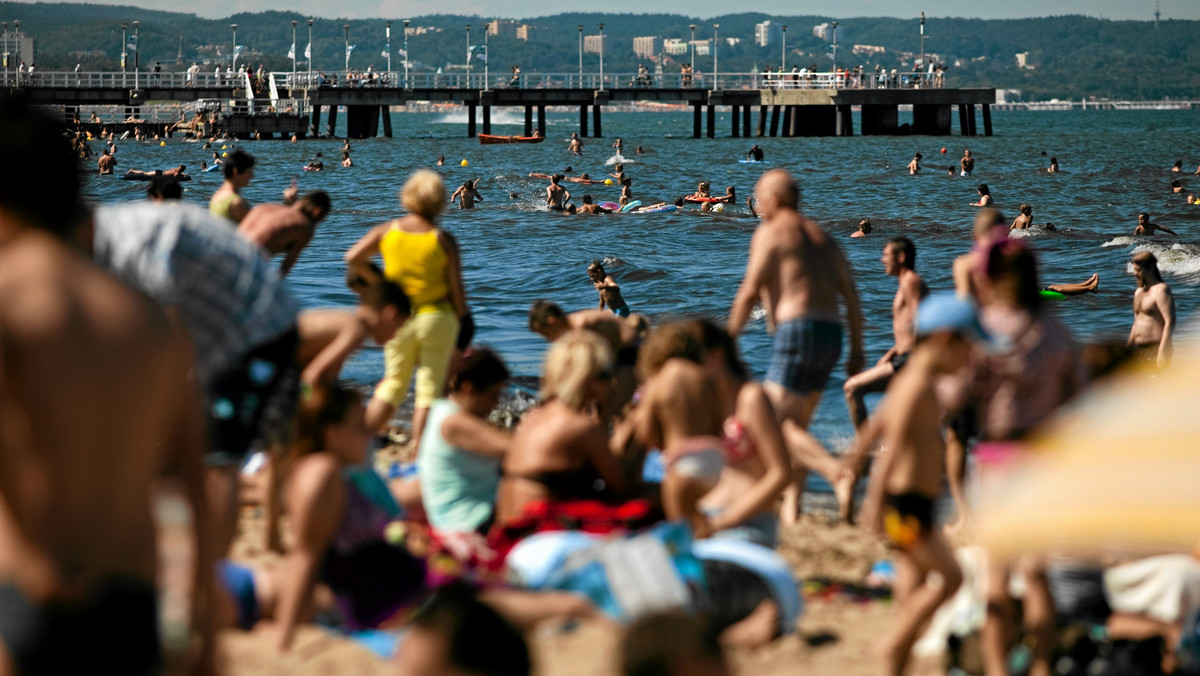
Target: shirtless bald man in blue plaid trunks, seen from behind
pixel 799 274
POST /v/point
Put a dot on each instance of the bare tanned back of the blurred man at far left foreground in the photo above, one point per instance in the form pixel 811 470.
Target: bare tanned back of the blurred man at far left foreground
pixel 93 388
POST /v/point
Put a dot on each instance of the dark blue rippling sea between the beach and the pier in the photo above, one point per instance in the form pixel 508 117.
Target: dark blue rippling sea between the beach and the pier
pixel 686 265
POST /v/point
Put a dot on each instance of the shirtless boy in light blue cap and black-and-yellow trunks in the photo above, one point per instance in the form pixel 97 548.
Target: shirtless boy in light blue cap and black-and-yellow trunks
pixel 908 478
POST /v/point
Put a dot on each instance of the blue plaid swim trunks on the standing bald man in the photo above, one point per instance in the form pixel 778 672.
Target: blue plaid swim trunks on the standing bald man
pixel 806 354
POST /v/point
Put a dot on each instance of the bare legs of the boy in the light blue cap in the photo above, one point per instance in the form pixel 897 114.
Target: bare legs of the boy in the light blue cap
pixel 929 554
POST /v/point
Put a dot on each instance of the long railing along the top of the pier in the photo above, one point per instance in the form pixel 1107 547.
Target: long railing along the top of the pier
pixel 481 81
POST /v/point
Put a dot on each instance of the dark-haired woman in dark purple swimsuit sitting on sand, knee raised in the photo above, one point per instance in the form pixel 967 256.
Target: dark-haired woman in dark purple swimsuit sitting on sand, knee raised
pixel 340 540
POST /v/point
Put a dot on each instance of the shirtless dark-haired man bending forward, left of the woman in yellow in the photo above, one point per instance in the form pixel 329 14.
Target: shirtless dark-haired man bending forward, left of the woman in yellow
pixel 286 229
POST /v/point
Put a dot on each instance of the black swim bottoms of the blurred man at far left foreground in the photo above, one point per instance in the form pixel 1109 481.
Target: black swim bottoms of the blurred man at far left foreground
pixel 112 629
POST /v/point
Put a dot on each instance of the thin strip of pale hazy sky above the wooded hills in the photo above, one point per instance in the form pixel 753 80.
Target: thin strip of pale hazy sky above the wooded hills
pixel 1141 10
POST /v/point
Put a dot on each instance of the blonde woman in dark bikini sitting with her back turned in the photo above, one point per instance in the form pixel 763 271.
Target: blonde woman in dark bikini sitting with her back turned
pixel 560 452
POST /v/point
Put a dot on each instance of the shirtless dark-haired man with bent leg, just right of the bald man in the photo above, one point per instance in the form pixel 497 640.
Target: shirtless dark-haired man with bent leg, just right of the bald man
pixel 901 262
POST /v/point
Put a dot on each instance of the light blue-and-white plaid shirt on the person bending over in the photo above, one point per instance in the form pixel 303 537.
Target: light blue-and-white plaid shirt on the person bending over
pixel 232 300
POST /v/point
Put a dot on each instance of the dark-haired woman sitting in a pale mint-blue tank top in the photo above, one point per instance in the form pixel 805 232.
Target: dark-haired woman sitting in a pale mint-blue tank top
pixel 459 463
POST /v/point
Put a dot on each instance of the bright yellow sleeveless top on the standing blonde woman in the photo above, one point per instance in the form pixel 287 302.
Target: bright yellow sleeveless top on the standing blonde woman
pixel 418 264
